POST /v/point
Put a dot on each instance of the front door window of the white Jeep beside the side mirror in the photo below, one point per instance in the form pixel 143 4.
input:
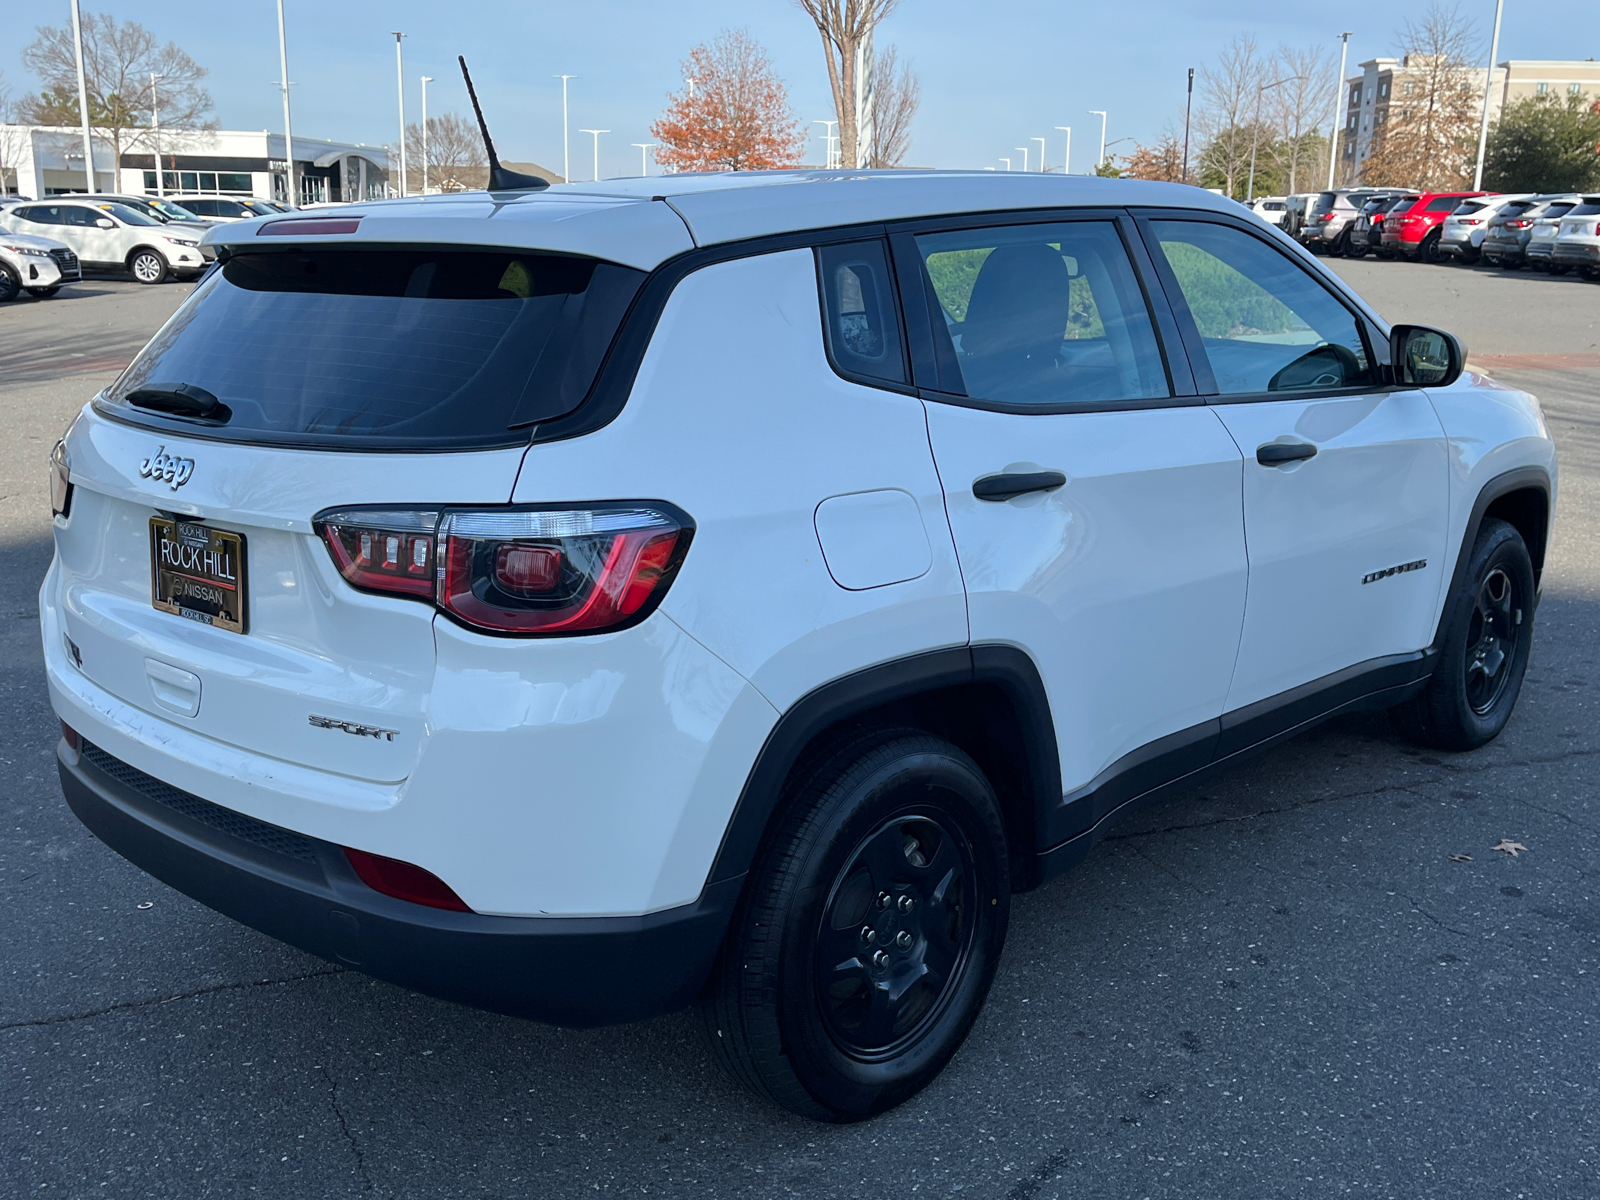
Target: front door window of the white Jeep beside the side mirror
pixel 1266 322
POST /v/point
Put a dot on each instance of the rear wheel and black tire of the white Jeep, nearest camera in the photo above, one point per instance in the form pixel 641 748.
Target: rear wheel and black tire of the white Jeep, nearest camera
pixel 895 842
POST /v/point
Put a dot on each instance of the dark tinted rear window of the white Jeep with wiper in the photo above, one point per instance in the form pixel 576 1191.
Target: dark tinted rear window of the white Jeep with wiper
pixel 401 348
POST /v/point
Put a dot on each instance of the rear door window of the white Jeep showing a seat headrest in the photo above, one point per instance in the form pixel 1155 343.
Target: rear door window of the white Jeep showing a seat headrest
pixel 1044 314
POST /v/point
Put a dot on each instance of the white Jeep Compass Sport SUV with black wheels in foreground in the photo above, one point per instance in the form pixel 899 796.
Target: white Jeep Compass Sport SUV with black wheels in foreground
pixel 730 590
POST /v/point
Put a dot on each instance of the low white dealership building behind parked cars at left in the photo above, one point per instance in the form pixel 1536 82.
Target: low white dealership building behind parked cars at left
pixel 39 161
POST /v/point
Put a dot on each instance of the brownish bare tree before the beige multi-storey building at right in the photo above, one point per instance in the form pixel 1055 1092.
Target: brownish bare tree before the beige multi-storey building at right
pixel 1431 130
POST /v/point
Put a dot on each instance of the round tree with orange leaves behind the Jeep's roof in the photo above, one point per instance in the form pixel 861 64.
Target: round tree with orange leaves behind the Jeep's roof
pixel 734 116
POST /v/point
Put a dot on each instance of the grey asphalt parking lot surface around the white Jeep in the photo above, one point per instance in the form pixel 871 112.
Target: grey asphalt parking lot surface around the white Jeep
pixel 1281 986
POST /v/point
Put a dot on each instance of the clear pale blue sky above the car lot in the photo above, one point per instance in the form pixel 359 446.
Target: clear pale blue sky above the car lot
pixel 996 74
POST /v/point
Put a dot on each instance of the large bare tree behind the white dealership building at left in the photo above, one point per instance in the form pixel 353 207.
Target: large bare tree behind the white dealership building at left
pixel 118 65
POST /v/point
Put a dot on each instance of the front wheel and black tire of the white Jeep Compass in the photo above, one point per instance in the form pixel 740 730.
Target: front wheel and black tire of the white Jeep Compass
pixel 1486 652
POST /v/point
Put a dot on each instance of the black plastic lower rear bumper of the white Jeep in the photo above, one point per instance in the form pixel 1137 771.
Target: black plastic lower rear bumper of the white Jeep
pixel 302 890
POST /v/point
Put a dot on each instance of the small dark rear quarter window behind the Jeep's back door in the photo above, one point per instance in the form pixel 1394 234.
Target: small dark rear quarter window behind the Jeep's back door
pixel 858 300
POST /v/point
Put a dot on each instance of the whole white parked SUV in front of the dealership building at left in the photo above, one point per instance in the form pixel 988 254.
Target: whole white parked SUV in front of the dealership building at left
pixel 111 236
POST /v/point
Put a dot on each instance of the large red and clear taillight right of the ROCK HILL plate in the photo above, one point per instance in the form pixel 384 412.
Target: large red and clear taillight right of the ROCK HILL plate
pixel 518 570
